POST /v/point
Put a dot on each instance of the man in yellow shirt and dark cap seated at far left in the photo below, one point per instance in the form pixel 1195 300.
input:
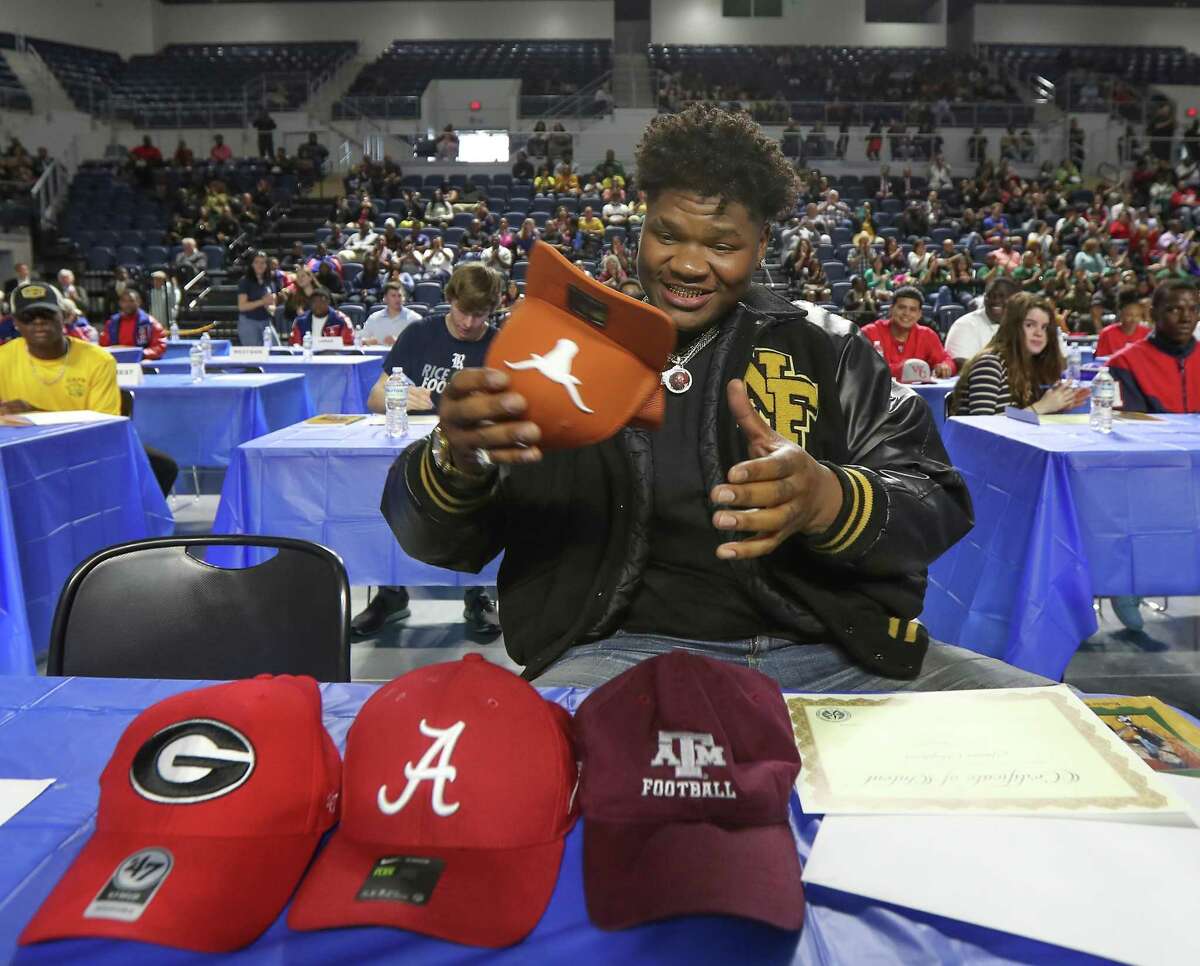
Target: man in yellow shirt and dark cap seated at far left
pixel 45 371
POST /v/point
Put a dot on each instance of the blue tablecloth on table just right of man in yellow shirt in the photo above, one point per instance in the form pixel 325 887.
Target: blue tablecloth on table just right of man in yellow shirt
pixel 201 425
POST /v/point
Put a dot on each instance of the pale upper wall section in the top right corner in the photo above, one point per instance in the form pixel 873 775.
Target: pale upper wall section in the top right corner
pixel 1149 27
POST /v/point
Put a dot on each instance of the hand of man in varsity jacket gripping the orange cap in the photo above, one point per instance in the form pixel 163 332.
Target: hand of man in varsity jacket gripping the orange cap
pixel 479 412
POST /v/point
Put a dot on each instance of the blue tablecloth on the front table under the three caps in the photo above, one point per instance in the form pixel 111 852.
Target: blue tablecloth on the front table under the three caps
pixel 67 729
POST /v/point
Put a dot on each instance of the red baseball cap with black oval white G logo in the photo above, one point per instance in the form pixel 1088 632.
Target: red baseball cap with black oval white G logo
pixel 211 809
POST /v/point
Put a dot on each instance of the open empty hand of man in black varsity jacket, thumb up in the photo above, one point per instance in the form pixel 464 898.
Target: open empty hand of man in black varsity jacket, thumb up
pixel 785 491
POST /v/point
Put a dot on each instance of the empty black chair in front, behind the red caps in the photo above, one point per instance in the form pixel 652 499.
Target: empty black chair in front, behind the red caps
pixel 154 609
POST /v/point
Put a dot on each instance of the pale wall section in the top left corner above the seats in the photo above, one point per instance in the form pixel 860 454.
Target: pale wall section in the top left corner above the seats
pixel 122 26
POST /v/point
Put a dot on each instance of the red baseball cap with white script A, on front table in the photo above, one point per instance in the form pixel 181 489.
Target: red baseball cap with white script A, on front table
pixel 459 790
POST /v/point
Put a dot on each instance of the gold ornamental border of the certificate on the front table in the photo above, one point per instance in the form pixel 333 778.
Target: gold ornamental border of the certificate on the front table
pixel 1135 776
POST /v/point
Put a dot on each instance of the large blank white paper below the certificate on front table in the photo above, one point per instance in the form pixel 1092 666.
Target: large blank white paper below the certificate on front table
pixel 1119 890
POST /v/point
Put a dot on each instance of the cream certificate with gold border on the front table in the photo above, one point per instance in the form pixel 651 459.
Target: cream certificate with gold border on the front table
pixel 1006 752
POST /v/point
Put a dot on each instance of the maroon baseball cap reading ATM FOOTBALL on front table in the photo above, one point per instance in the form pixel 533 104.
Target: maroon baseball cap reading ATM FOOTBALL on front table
pixel 688 765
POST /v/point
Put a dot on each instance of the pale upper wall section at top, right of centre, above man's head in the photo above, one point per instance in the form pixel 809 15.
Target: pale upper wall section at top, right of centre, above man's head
pixel 805 22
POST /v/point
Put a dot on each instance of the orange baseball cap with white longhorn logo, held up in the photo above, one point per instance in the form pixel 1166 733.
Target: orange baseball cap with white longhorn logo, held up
pixel 587 358
